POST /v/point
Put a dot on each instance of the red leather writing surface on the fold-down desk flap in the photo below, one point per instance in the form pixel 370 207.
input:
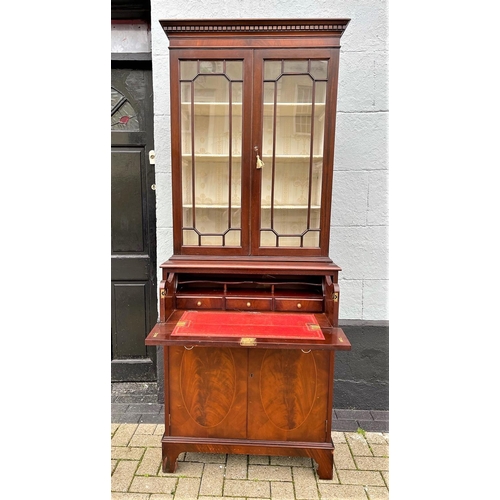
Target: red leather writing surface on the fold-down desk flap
pixel 248 324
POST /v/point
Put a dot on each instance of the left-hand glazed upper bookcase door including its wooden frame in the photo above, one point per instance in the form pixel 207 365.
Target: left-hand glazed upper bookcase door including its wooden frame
pixel 210 109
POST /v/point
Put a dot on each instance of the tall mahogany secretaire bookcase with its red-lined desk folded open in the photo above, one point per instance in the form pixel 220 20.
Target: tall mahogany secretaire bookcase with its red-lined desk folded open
pixel 249 301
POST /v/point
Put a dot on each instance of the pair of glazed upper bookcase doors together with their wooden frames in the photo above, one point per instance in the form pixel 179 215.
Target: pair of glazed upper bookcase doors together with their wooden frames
pixel 252 150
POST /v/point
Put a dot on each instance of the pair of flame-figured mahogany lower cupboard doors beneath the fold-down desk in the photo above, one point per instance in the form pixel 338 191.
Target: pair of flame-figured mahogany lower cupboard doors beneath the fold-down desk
pixel 249 393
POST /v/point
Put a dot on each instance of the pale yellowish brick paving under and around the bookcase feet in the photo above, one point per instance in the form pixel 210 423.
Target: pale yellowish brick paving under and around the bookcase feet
pixel 361 470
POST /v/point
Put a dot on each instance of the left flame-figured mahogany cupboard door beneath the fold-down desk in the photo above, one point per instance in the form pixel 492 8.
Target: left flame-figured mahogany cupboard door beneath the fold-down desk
pixel 208 392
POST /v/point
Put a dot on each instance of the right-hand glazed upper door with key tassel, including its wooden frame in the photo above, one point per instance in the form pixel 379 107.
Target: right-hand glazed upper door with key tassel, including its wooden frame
pixel 294 110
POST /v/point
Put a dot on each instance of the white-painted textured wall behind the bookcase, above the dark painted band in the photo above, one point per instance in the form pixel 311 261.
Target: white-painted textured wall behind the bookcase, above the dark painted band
pixel 359 232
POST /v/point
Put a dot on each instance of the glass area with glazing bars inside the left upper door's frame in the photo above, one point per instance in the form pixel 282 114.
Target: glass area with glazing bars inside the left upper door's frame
pixel 211 130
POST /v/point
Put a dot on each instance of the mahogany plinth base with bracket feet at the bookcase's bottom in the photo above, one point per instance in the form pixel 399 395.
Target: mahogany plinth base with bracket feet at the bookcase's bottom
pixel 321 453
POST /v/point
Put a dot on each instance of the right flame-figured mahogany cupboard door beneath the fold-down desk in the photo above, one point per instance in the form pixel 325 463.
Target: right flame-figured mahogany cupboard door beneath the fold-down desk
pixel 289 394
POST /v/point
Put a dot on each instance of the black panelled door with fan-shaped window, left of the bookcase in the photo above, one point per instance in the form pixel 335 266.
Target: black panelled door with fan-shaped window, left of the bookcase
pixel 133 228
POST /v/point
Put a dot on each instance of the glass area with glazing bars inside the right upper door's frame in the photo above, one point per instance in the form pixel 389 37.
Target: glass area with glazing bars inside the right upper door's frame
pixel 292 149
